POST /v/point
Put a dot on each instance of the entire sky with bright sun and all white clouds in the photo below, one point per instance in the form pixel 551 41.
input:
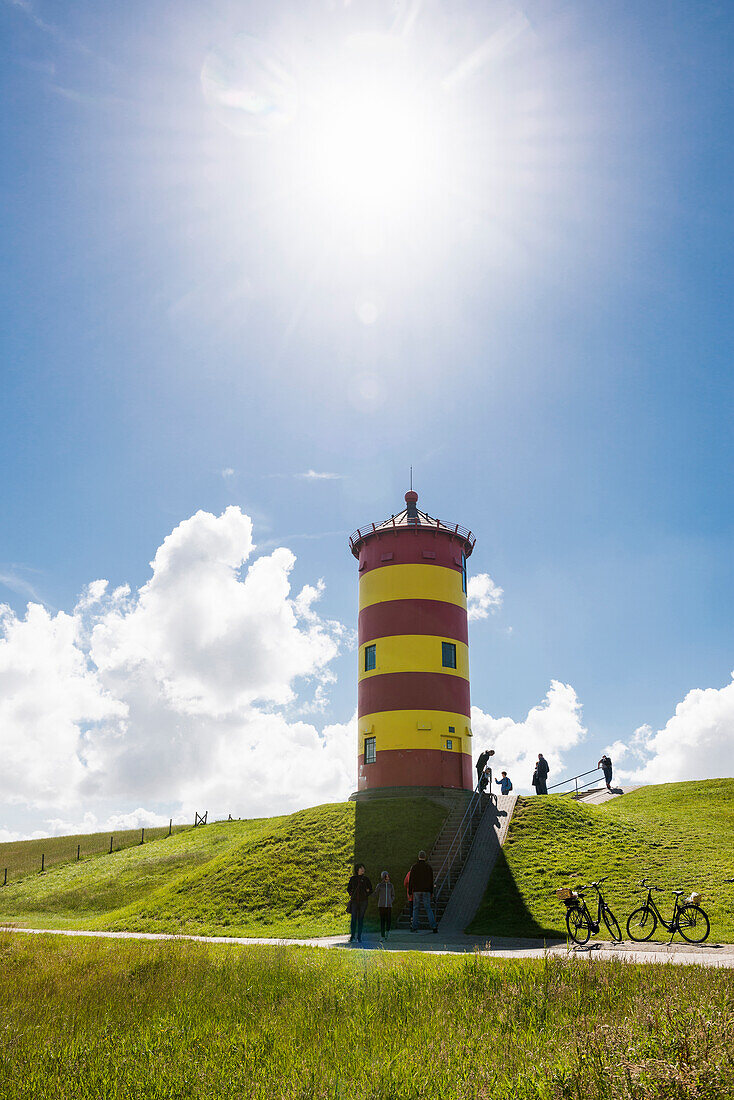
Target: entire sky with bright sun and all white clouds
pixel 260 260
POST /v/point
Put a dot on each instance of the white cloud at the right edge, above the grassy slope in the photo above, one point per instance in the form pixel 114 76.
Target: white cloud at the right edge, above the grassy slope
pixel 696 743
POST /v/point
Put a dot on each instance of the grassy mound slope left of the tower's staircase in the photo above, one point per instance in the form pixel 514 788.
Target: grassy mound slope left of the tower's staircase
pixel 273 877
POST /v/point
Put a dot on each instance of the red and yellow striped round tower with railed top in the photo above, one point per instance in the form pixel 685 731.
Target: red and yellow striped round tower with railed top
pixel 414 716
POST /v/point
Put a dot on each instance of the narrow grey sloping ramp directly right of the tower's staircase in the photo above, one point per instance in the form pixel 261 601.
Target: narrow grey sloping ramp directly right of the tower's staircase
pixel 467 895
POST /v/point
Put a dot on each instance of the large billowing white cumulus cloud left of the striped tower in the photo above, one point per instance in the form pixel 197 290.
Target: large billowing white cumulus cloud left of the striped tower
pixel 181 695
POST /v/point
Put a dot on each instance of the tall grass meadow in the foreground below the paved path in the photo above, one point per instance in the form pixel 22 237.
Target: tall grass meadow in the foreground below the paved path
pixel 124 1020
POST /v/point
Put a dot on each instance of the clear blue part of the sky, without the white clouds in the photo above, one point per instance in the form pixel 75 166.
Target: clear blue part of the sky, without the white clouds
pixel 549 334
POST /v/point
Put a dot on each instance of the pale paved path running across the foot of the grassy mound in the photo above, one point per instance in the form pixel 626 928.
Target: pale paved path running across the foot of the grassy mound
pixel 717 955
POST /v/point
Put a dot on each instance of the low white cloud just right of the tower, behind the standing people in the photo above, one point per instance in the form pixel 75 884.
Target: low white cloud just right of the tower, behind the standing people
pixel 553 728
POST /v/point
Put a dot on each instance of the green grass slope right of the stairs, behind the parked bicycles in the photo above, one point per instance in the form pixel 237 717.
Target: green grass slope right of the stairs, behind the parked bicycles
pixel 677 835
